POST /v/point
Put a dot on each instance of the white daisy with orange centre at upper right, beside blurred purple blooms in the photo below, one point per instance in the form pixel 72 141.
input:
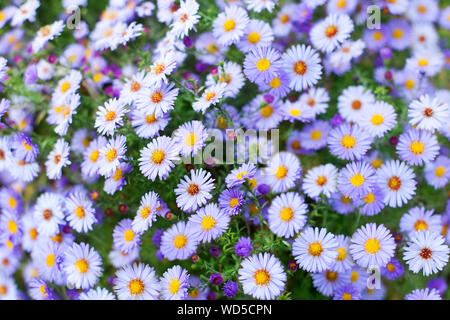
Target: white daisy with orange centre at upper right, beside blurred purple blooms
pixel 328 34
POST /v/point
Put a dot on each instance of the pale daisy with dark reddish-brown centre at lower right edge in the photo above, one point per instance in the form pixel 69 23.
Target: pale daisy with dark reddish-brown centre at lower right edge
pixel 426 251
